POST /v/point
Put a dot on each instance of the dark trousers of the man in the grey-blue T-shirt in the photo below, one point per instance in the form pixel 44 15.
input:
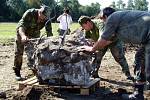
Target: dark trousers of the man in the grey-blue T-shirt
pixel 142 63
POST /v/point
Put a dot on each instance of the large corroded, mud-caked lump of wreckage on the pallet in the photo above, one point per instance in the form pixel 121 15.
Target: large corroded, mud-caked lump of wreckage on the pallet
pixel 61 66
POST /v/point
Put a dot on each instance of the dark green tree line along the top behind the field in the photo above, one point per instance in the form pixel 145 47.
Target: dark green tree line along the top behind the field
pixel 12 10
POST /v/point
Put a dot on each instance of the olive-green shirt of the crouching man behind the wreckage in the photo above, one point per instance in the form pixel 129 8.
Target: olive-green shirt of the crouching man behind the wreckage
pixel 94 34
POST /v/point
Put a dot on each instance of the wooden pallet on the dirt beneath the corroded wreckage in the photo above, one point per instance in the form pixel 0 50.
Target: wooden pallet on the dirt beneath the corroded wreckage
pixel 84 90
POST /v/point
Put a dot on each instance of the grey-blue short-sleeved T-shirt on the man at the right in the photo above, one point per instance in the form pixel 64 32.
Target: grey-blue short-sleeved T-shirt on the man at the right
pixel 128 26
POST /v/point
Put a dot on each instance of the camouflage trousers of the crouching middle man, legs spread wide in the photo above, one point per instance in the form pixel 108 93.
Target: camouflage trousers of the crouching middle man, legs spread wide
pixel 117 52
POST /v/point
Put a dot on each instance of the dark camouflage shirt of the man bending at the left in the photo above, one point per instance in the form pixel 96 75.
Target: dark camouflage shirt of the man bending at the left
pixel 29 22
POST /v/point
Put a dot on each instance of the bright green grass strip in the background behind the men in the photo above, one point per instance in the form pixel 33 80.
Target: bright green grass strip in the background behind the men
pixel 8 30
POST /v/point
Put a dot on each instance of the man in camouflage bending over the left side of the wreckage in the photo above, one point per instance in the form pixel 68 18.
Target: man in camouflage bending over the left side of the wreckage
pixel 32 21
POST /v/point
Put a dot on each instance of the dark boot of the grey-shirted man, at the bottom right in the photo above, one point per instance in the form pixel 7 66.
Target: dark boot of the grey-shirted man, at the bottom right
pixel 136 95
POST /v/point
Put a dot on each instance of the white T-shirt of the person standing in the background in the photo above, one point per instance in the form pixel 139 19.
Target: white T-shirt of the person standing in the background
pixel 65 21
